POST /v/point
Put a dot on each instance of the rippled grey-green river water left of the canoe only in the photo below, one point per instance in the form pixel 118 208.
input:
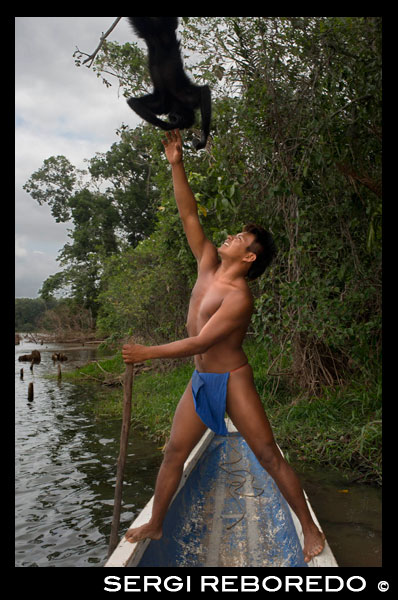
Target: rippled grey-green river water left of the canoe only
pixel 66 470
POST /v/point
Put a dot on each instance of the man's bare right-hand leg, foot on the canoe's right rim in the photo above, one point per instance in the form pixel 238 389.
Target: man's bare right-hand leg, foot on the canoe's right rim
pixel 247 413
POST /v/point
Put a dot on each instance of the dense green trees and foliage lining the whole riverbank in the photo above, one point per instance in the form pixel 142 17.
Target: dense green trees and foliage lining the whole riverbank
pixel 295 146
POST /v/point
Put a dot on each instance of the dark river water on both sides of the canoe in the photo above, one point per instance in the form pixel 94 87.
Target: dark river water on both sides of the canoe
pixel 66 473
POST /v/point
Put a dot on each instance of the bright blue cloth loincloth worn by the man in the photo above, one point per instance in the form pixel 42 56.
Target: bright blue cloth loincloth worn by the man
pixel 209 392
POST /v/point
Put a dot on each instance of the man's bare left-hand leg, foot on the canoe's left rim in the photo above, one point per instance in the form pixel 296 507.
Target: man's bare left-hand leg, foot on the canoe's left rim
pixel 186 431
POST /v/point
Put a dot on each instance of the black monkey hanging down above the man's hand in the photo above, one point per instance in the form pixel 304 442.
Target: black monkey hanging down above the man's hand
pixel 173 94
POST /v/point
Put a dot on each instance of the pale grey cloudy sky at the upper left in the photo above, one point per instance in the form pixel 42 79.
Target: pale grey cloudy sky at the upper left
pixel 60 109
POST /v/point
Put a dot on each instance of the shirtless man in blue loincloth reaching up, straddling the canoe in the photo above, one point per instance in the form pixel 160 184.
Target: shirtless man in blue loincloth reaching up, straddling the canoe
pixel 219 314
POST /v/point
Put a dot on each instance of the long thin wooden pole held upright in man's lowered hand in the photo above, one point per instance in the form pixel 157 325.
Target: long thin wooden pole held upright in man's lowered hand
pixel 121 461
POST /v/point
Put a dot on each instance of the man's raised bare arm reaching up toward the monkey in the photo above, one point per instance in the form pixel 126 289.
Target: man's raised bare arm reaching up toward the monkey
pixel 185 199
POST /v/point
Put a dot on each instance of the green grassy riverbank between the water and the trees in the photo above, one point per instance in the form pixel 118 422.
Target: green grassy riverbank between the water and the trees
pixel 341 428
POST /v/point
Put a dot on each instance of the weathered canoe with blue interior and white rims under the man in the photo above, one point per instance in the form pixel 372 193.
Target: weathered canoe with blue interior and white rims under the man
pixel 227 512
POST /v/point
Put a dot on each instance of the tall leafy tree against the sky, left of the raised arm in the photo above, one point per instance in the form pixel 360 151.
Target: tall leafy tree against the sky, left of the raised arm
pixel 122 213
